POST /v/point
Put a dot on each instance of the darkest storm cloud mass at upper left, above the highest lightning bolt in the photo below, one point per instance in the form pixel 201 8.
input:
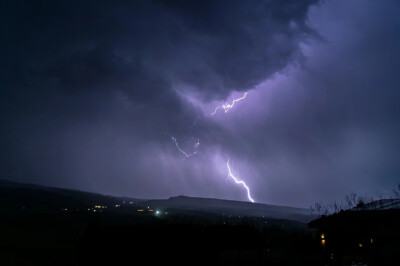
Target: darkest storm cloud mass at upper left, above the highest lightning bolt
pixel 214 46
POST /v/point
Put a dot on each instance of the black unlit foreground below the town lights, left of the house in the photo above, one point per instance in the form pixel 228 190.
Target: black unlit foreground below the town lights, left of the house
pixel 125 239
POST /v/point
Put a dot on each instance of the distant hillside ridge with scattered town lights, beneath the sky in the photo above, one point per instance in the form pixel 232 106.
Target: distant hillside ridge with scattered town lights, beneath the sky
pixel 29 197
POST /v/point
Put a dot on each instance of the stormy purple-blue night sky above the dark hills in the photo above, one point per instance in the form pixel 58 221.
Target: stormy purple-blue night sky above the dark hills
pixel 92 93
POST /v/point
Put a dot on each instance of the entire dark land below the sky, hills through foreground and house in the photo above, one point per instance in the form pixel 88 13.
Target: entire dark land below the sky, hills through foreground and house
pixel 52 226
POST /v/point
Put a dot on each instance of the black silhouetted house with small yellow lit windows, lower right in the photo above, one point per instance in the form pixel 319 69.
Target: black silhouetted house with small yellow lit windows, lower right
pixel 370 237
